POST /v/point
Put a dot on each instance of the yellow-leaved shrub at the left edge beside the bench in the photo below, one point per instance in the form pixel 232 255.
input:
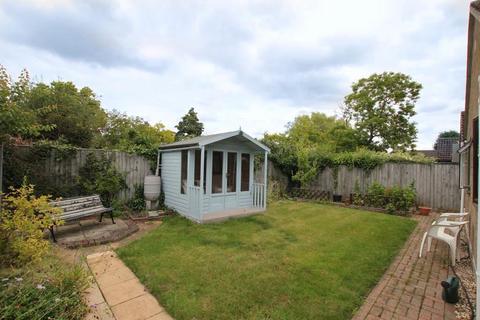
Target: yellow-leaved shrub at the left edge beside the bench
pixel 23 219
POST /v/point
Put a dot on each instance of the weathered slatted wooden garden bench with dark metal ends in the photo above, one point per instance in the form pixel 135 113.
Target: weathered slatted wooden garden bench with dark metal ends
pixel 79 207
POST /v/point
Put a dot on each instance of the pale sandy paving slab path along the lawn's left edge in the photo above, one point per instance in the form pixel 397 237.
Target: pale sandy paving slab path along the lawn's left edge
pixel 124 294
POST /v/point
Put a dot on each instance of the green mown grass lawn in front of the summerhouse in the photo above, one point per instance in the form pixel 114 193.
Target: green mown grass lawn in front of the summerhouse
pixel 298 261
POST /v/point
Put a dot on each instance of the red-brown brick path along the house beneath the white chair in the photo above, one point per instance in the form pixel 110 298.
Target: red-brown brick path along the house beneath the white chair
pixel 410 289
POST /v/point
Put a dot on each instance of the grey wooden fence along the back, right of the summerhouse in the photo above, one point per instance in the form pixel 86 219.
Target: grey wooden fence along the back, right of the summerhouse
pixel 437 185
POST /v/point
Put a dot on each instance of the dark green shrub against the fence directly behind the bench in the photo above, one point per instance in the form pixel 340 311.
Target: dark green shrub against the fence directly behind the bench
pixel 99 176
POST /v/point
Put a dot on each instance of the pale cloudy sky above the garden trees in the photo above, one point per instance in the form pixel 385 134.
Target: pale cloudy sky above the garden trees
pixel 254 65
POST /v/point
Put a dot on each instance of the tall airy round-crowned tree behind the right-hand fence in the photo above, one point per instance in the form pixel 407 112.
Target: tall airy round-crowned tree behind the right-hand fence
pixel 380 109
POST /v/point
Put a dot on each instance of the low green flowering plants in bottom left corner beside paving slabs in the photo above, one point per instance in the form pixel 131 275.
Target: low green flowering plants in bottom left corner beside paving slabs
pixel 50 290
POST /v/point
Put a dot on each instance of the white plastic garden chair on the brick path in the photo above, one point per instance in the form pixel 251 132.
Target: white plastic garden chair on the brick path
pixel 437 231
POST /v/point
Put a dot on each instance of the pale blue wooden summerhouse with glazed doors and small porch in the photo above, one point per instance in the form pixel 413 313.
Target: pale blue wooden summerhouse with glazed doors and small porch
pixel 211 177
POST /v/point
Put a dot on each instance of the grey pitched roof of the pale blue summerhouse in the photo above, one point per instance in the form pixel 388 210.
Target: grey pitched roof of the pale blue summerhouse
pixel 201 141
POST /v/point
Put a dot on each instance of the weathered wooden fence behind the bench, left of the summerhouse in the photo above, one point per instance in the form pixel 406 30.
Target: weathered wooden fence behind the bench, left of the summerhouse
pixel 63 171
